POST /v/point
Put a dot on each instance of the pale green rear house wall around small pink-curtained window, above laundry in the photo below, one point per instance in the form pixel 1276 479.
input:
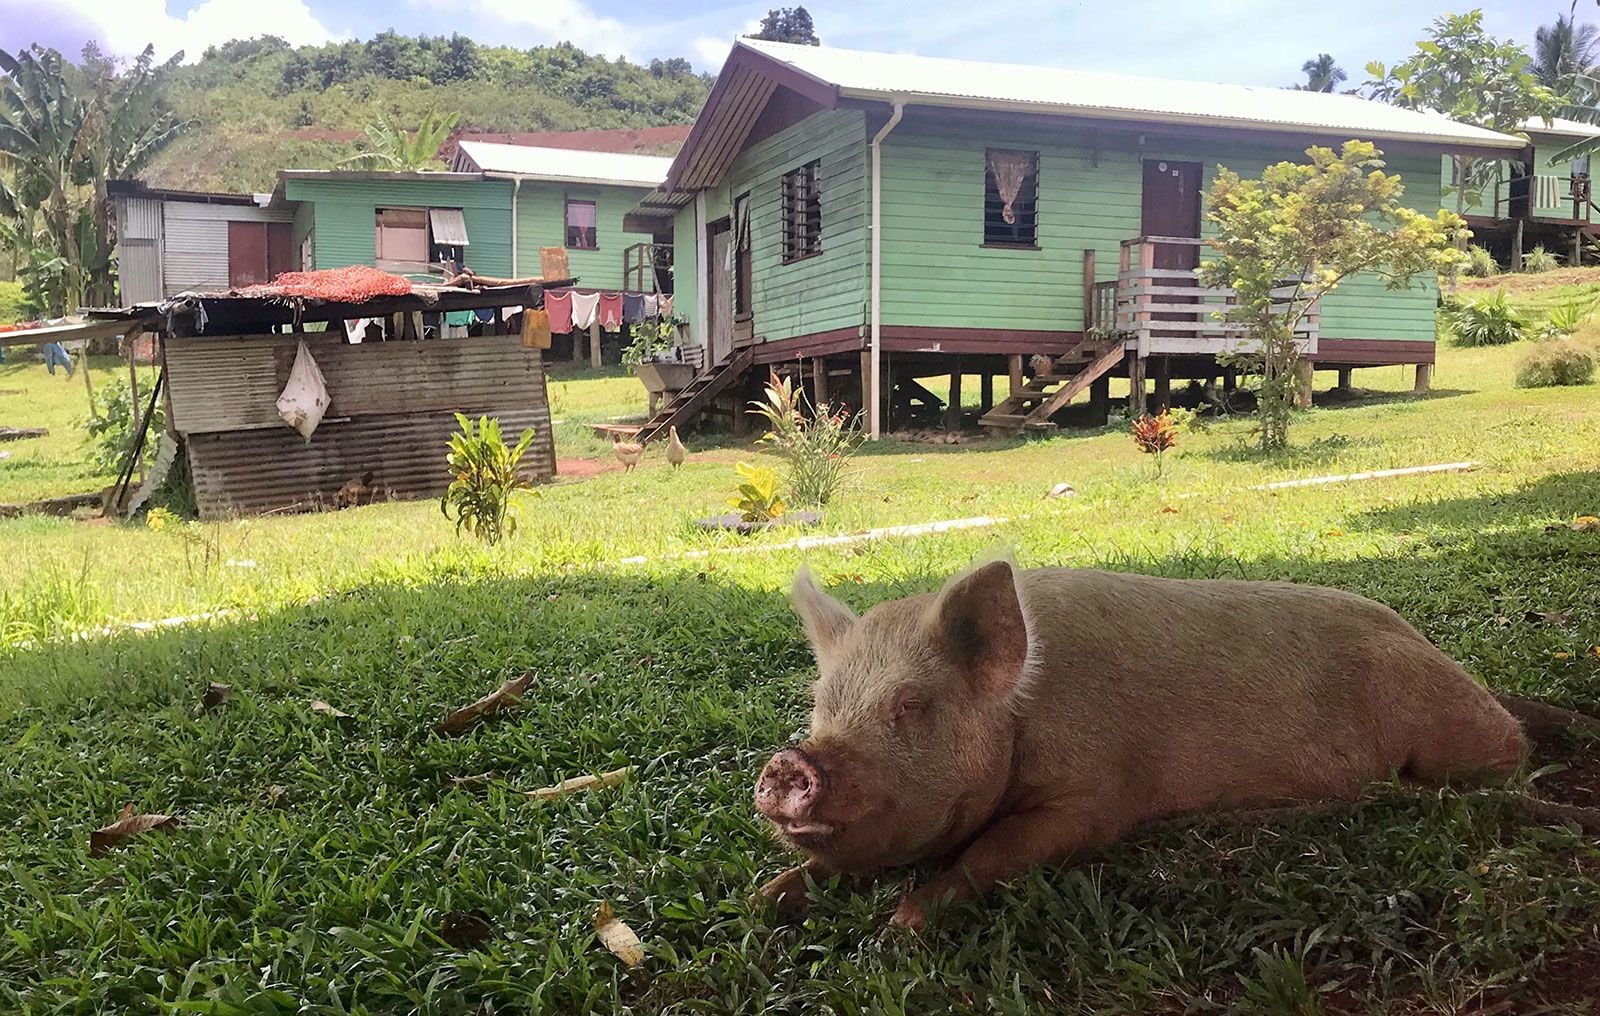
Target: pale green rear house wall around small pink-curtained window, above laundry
pixel 542 222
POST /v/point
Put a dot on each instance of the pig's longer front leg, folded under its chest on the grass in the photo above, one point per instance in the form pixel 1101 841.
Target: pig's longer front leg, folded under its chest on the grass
pixel 1004 852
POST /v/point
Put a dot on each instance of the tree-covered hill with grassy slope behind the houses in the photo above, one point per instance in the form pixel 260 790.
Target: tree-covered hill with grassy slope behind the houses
pixel 260 105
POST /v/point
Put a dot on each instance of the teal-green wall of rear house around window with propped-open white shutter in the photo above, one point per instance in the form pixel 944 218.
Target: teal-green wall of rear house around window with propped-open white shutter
pixel 345 217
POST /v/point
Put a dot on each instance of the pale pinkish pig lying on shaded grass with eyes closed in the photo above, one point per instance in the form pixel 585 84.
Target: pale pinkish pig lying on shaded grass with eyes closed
pixel 1023 718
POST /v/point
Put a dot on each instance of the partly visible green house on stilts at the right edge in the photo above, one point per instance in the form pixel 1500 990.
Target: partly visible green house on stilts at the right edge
pixel 1535 199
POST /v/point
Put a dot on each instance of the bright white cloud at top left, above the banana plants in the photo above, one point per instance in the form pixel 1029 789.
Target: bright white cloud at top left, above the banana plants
pixel 127 26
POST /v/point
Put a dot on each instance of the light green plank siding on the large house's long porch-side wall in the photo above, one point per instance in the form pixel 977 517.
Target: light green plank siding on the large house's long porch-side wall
pixel 937 274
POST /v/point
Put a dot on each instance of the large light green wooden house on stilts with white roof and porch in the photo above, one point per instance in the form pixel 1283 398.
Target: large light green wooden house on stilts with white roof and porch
pixel 876 220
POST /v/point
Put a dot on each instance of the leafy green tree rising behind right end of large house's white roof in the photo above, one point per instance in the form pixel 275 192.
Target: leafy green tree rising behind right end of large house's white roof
pixel 1471 78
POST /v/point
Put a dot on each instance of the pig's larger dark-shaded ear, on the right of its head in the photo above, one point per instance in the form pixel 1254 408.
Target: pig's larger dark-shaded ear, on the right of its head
pixel 980 620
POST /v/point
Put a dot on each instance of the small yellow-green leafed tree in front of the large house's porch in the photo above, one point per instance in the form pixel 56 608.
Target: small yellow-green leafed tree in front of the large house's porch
pixel 1295 234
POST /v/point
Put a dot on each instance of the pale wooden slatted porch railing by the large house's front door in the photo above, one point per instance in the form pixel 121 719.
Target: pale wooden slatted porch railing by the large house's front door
pixel 1166 311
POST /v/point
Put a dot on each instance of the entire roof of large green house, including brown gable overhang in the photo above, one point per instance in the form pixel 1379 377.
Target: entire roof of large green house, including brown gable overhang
pixel 833 78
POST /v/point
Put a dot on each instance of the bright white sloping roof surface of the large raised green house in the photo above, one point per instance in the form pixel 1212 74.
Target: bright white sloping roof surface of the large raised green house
pixel 1086 94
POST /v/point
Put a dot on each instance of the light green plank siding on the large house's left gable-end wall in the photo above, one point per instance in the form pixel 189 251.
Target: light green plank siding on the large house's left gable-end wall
pixel 823 292
